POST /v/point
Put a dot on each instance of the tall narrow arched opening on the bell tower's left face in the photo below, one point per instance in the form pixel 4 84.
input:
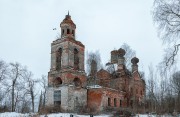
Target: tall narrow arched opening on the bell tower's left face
pixel 58 58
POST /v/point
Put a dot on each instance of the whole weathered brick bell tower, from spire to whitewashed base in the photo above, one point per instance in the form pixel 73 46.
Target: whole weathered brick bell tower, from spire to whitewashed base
pixel 66 78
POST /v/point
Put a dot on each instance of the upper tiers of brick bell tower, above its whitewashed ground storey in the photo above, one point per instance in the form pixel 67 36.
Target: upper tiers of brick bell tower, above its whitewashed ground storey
pixel 67 56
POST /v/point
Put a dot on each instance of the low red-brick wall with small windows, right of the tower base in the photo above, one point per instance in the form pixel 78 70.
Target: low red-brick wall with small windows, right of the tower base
pixel 98 99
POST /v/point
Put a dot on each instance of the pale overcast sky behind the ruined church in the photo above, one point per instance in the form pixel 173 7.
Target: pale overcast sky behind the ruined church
pixel 26 29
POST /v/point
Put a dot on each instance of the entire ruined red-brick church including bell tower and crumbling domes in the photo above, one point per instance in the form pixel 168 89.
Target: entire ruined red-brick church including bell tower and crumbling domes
pixel 71 89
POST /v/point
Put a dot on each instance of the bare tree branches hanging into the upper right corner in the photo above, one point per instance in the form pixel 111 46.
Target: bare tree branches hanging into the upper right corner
pixel 166 15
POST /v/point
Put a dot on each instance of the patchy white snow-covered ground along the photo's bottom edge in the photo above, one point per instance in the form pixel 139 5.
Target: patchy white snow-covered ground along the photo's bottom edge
pixel 14 114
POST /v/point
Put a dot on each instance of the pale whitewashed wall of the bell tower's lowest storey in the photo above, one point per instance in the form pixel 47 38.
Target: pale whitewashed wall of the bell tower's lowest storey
pixel 72 98
